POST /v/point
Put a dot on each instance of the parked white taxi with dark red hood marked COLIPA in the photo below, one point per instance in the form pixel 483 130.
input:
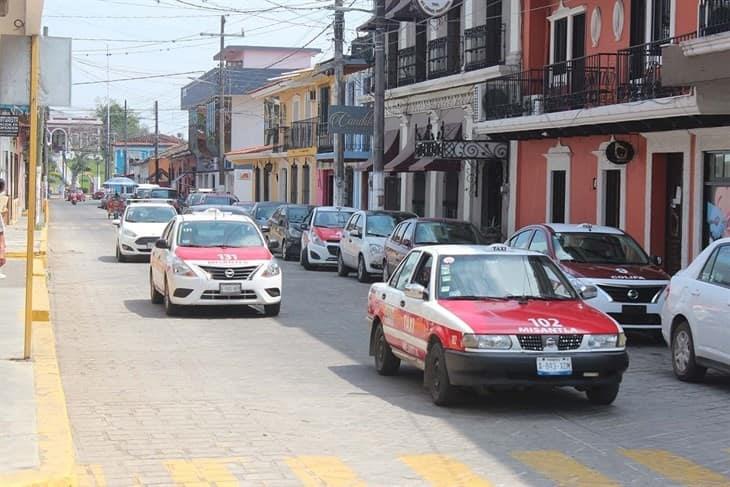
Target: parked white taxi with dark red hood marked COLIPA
pixel 630 283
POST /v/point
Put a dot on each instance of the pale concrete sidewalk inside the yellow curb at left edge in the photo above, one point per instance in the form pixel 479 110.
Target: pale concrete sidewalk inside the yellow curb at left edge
pixel 18 425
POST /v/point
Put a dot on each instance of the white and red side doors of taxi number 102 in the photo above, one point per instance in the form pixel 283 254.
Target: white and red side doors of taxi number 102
pixel 398 324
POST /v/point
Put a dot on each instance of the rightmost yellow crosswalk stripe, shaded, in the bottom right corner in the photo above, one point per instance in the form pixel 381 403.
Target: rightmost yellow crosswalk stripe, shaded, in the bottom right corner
pixel 677 469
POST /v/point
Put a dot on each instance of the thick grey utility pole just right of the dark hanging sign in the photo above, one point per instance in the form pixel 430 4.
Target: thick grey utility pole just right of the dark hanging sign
pixel 379 109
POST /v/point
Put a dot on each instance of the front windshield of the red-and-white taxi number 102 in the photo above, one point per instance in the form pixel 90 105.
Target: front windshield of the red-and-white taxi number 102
pixel 502 277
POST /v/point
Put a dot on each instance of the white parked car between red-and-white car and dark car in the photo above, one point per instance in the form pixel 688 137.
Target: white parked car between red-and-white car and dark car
pixel 363 239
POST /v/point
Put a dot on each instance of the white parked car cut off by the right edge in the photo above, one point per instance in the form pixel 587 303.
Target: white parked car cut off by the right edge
pixel 695 320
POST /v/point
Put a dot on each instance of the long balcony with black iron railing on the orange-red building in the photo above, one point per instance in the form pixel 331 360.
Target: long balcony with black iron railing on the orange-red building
pixel 633 74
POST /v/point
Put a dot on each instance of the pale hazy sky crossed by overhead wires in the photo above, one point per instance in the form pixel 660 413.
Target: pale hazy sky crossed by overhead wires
pixel 162 37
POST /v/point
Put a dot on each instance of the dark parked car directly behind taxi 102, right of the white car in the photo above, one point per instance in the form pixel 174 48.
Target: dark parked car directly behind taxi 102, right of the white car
pixel 418 232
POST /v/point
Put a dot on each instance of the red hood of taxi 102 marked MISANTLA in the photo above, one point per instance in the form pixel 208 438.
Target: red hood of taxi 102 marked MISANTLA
pixel 534 318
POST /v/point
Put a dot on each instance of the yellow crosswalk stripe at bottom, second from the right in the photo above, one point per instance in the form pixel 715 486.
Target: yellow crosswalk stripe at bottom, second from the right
pixel 565 471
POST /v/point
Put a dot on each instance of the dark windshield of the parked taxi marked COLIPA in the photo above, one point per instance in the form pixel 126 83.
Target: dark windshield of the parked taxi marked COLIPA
pixel 599 248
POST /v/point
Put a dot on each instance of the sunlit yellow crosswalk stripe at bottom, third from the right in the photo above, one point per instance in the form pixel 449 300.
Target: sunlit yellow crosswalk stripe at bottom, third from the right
pixel 444 471
